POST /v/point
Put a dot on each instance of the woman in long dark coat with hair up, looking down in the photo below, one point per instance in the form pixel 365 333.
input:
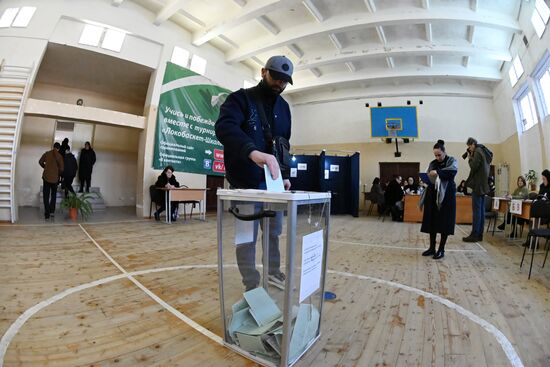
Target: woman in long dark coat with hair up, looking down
pixel 439 200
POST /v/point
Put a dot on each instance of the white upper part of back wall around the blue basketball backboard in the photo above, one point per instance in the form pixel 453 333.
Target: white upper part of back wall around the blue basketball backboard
pixel 452 118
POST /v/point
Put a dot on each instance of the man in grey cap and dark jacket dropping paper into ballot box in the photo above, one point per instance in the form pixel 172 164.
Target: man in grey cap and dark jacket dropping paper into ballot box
pixel 249 120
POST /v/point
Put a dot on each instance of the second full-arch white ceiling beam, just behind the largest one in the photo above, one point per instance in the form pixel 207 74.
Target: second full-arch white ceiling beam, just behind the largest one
pixel 328 58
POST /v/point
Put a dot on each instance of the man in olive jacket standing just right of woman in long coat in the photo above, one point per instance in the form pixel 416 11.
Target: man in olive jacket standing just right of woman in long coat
pixel 479 159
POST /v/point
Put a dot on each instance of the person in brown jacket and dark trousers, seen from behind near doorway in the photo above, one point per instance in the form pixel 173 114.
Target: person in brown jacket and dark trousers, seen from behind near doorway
pixel 52 162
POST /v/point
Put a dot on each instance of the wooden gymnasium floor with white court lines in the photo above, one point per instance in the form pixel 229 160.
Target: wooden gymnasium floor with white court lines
pixel 81 295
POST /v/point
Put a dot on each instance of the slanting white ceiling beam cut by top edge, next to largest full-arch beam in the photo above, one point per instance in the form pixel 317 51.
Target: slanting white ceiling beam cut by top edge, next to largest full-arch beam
pixel 250 11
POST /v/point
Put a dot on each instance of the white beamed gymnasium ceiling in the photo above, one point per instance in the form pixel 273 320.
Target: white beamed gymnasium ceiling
pixel 343 47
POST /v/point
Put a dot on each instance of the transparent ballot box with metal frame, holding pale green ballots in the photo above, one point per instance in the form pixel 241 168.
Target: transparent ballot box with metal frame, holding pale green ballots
pixel 272 282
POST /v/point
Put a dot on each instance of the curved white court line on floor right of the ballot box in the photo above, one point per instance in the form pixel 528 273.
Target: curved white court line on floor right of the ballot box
pixel 506 345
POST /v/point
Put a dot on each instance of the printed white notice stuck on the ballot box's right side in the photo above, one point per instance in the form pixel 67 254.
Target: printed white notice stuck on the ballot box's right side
pixel 312 260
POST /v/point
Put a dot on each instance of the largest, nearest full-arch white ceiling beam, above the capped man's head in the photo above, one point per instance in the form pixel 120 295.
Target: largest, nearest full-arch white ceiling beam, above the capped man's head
pixel 380 18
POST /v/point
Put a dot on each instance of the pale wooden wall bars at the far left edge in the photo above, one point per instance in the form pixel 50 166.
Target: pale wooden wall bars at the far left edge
pixel 14 82
